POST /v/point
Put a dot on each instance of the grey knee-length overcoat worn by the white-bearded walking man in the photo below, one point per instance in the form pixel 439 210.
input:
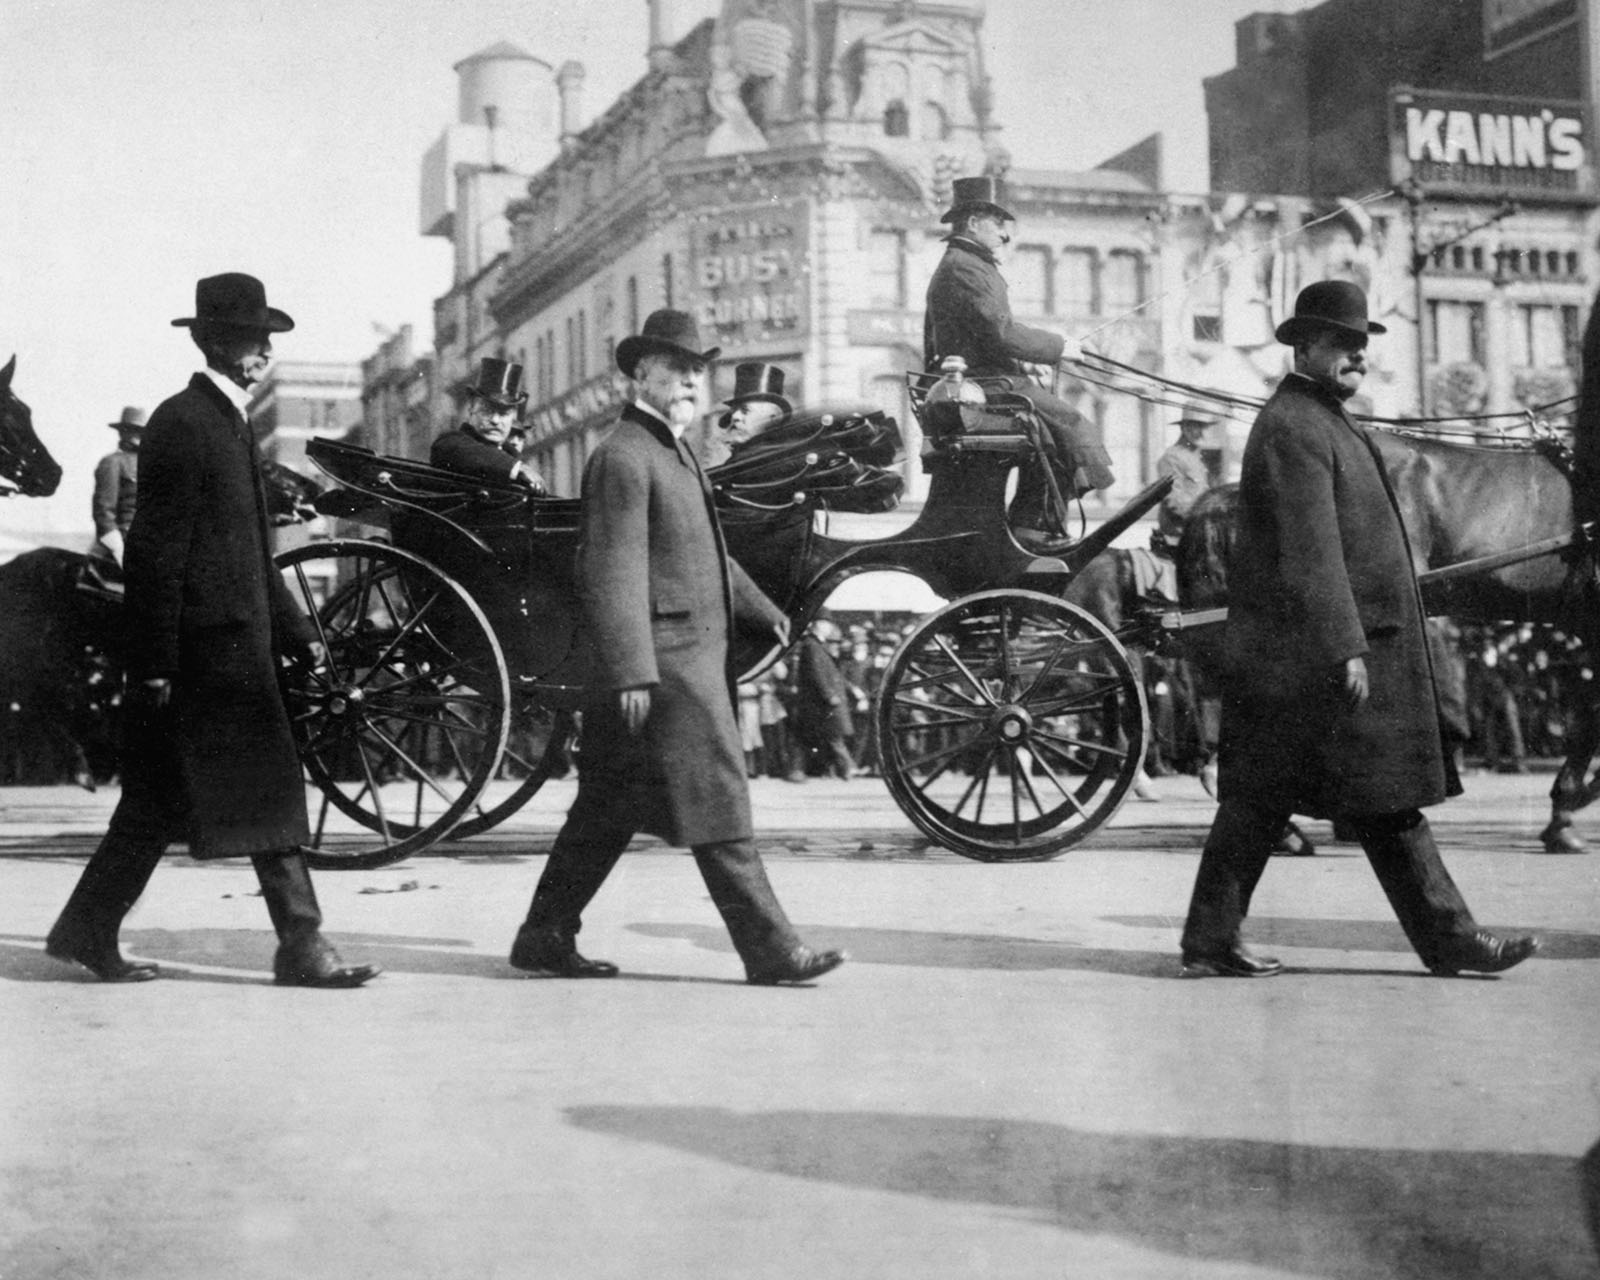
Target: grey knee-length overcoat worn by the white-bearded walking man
pixel 660 599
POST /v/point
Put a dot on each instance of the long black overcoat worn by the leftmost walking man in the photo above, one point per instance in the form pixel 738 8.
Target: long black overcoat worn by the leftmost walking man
pixel 207 610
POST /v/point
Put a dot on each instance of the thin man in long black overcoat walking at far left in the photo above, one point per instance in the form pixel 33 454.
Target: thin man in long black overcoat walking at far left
pixel 209 754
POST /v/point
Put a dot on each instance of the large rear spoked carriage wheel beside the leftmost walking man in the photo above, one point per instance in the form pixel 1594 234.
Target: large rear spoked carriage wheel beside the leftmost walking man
pixel 406 727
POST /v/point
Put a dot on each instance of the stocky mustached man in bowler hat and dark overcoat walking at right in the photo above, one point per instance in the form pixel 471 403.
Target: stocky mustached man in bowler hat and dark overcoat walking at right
pixel 1329 703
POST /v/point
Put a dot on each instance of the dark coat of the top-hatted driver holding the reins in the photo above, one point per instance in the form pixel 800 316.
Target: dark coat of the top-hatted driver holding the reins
pixel 970 316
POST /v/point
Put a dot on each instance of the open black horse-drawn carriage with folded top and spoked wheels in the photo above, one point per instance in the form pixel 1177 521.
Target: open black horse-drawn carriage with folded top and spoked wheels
pixel 1010 722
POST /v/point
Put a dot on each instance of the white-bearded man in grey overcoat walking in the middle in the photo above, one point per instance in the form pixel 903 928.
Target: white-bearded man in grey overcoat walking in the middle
pixel 662 748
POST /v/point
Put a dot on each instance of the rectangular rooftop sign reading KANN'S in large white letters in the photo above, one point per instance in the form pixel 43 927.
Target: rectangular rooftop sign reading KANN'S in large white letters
pixel 1481 146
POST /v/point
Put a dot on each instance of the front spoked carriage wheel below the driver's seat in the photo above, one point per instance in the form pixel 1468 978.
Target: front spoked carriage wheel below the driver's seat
pixel 1010 726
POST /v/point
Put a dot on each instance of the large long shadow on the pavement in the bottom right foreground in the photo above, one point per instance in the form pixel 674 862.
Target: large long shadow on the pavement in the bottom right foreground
pixel 1330 1212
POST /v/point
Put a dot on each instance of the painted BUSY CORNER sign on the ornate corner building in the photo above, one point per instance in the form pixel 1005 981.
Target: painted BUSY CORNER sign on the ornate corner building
pixel 750 270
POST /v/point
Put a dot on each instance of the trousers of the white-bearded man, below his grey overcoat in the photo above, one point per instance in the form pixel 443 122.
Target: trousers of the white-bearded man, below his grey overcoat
pixel 590 846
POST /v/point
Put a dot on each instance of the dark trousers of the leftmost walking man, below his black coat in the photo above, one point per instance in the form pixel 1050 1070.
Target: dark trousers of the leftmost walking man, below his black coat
pixel 126 860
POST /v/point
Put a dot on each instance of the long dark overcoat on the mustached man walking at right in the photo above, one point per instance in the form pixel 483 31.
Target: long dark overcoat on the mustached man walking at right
pixel 1321 574
